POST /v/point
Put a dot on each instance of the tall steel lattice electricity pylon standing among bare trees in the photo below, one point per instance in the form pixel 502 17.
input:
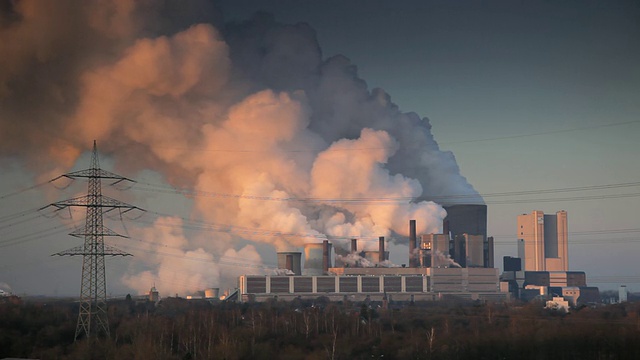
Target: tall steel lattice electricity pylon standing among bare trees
pixel 92 319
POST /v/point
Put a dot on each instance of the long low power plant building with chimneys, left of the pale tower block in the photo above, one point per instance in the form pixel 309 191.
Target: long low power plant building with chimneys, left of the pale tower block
pixel 360 275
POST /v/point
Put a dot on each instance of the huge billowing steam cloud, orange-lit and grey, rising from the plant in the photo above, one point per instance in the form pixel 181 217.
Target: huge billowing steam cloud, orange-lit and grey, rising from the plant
pixel 250 109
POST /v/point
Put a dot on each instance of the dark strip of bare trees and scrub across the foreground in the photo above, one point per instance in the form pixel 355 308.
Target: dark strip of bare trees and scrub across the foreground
pixel 187 329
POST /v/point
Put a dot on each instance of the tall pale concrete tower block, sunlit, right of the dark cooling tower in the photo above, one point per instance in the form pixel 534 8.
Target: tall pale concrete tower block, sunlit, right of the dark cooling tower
pixel 543 241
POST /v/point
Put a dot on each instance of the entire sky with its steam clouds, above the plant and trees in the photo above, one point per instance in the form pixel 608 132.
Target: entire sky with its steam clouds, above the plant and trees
pixel 537 97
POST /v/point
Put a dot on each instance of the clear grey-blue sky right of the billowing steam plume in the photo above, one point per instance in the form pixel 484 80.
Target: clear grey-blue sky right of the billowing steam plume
pixel 527 95
